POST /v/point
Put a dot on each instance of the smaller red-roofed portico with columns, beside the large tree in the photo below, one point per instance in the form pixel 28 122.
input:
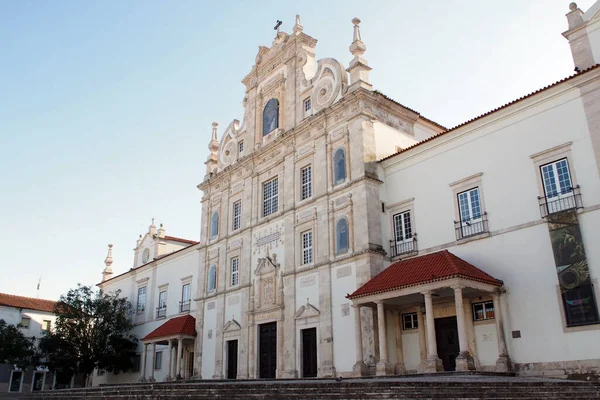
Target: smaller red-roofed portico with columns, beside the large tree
pixel 179 335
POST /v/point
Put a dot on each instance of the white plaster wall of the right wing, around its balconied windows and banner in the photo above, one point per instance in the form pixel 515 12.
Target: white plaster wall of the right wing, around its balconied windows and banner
pixel 523 258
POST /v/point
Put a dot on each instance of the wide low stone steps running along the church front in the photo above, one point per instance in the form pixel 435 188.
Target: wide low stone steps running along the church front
pixel 428 387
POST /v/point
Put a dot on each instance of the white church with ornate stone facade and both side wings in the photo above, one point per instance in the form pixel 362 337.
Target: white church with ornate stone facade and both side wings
pixel 345 234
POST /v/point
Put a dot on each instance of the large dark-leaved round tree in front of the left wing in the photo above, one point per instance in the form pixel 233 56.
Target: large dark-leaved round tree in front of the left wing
pixel 93 329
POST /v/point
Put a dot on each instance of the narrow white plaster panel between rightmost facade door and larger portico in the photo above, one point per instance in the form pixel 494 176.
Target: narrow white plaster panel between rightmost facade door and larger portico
pixel 344 356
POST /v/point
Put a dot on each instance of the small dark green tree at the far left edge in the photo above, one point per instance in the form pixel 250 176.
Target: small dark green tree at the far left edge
pixel 15 348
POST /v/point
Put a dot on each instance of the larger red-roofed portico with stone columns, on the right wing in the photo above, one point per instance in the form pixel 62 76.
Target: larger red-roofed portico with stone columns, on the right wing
pixel 424 294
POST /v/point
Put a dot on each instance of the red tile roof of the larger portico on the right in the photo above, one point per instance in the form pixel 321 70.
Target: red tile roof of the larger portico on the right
pixel 424 269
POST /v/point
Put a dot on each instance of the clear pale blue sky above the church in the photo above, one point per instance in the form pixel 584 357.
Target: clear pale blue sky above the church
pixel 106 106
